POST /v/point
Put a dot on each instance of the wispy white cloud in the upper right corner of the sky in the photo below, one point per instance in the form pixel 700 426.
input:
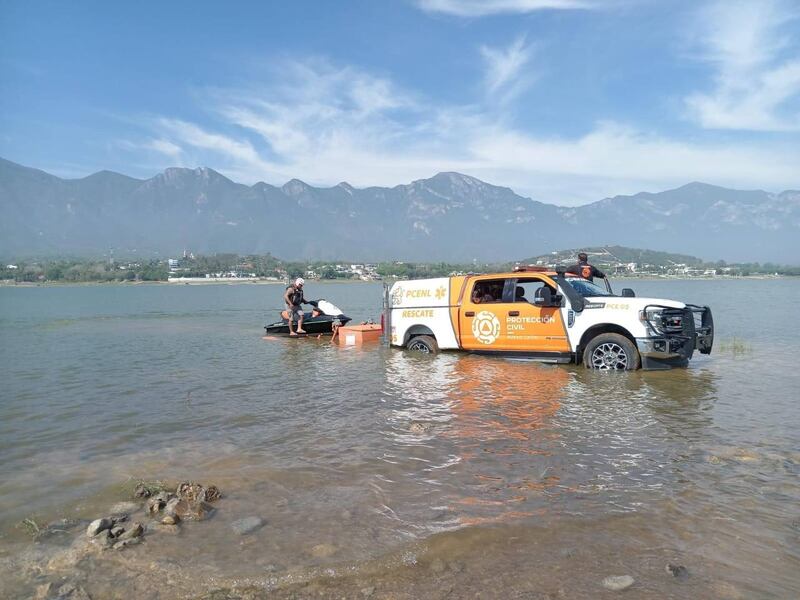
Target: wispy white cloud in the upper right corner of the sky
pixel 757 80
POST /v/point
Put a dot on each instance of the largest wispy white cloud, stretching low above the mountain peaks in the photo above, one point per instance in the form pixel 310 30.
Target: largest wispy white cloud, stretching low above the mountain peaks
pixel 325 124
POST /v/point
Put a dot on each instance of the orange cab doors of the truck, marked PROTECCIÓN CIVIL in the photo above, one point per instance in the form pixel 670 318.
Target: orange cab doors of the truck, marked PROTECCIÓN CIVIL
pixel 513 323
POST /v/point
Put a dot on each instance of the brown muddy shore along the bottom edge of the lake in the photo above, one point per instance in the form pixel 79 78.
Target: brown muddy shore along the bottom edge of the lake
pixel 571 558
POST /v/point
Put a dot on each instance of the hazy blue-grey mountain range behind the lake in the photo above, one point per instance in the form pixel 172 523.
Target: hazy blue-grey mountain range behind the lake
pixel 448 217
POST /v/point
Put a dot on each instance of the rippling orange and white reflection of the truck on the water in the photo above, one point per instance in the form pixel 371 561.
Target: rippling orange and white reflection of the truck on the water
pixel 525 439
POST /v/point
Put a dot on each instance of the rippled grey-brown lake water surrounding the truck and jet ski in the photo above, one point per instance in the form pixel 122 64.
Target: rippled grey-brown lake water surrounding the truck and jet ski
pixel 382 474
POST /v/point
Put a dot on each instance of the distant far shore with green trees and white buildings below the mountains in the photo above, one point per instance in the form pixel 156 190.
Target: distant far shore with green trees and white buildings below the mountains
pixel 234 268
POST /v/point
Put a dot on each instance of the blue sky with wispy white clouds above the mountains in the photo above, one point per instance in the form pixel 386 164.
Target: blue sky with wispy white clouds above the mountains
pixel 564 101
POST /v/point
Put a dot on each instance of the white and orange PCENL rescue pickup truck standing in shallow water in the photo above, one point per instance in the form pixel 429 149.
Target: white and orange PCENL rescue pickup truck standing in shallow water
pixel 546 315
